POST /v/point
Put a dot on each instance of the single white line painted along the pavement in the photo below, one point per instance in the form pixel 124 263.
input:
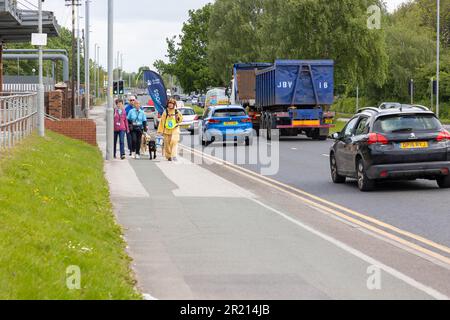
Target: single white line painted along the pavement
pixel 397 274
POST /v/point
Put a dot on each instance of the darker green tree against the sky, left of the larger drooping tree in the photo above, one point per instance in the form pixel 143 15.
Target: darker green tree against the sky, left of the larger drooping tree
pixel 188 59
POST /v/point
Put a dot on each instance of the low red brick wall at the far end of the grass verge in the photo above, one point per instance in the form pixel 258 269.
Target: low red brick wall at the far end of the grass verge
pixel 80 129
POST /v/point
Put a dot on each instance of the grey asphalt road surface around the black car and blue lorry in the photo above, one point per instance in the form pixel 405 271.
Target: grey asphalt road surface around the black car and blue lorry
pixel 419 206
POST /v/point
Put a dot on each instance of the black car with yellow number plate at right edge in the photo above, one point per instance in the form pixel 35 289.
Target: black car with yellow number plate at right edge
pixel 395 142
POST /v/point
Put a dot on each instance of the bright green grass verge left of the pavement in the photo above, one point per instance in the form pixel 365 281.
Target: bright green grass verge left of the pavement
pixel 55 212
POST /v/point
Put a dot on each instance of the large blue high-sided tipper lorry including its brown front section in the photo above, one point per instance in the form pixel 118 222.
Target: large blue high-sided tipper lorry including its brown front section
pixel 293 96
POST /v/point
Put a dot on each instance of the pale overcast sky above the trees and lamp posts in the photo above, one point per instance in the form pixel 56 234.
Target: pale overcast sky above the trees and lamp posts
pixel 141 26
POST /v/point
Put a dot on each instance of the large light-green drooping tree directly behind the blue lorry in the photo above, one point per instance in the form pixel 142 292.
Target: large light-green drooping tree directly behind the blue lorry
pixel 264 30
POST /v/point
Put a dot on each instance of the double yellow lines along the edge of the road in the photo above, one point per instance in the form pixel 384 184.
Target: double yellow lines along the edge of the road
pixel 332 208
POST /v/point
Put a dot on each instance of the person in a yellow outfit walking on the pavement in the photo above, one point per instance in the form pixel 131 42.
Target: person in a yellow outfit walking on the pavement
pixel 170 130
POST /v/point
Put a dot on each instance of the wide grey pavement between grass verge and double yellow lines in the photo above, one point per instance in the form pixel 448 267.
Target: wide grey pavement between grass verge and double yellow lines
pixel 202 231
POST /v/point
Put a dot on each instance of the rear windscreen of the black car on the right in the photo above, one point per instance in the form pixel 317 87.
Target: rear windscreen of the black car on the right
pixel 407 123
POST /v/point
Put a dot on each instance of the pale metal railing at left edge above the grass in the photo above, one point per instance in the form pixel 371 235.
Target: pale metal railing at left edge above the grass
pixel 18 118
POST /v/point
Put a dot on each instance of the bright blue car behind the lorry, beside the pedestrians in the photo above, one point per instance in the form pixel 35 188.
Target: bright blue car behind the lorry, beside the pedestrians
pixel 226 123
